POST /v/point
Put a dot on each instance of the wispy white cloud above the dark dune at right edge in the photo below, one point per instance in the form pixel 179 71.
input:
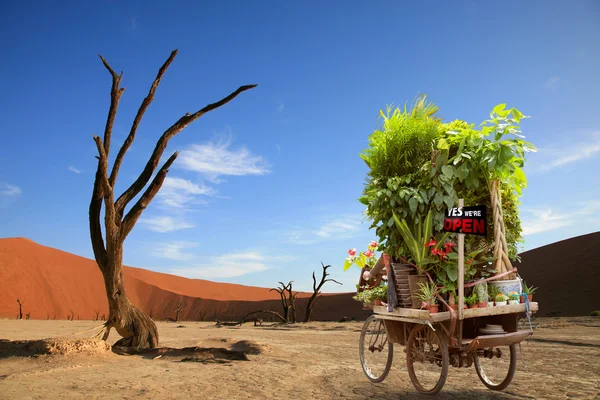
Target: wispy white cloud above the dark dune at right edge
pixel 542 220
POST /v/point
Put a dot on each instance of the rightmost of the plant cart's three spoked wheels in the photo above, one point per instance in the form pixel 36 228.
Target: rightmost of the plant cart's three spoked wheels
pixel 496 366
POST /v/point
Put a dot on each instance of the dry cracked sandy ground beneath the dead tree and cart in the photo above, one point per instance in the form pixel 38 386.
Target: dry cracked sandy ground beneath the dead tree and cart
pixel 305 361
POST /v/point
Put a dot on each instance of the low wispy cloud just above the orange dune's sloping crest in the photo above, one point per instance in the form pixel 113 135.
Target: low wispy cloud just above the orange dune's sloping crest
pixel 229 265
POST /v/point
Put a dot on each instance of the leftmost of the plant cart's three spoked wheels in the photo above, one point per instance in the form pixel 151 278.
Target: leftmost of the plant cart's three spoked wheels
pixel 374 348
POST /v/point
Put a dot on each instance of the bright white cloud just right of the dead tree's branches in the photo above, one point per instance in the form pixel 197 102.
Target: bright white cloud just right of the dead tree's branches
pixel 216 159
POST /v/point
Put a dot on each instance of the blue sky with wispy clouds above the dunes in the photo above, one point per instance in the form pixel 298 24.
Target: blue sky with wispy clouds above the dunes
pixel 283 196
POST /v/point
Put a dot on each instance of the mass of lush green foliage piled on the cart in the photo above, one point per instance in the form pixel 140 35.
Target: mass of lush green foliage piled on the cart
pixel 419 166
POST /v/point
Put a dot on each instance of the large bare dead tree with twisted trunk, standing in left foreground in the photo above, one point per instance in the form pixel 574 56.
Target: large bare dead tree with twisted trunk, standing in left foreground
pixel 135 327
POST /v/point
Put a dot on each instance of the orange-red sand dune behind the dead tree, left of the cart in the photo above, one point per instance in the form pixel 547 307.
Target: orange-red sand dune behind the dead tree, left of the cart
pixel 53 282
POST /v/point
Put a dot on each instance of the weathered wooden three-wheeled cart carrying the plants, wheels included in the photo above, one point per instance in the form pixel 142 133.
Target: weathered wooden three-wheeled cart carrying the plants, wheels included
pixel 436 341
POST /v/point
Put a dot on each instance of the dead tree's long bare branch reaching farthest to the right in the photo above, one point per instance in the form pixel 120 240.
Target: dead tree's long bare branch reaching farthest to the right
pixel 137 186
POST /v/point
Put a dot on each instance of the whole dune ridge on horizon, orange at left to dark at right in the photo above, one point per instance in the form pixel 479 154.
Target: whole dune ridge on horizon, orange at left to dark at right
pixel 53 282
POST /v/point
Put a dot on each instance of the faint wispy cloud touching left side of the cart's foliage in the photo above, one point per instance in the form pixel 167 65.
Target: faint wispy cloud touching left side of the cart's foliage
pixel 338 228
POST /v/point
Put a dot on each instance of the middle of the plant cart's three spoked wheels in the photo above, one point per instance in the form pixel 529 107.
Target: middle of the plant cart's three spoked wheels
pixel 427 359
